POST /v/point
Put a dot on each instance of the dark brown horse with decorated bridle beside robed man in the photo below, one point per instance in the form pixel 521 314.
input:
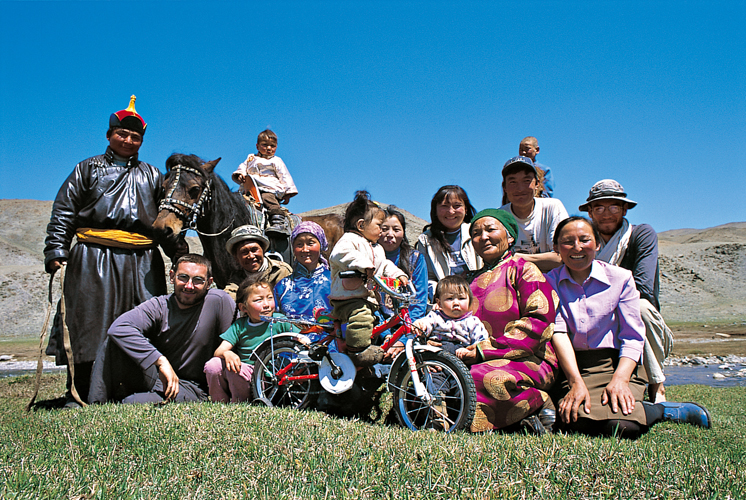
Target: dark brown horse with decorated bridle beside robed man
pixel 198 199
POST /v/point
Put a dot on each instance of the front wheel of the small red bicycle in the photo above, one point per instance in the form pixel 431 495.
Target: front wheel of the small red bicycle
pixel 448 382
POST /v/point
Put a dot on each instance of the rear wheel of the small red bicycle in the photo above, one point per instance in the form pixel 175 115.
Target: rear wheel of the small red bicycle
pixel 264 384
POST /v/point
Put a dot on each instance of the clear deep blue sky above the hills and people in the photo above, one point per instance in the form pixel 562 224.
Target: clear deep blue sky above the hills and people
pixel 395 97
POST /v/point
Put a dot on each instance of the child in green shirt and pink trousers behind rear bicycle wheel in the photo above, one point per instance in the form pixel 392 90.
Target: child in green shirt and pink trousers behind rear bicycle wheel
pixel 229 372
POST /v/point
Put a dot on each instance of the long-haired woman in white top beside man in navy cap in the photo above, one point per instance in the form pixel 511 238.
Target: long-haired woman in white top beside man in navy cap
pixel 446 243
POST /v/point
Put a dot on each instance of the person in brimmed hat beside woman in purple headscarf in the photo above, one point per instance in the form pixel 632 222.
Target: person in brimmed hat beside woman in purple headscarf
pixel 248 246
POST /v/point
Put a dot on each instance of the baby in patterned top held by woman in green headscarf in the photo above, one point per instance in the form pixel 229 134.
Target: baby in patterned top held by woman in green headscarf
pixel 452 324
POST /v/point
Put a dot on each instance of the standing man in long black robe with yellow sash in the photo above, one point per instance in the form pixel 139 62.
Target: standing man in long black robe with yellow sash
pixel 109 203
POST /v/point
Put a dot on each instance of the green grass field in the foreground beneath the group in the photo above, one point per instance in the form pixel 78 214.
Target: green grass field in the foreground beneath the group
pixel 240 451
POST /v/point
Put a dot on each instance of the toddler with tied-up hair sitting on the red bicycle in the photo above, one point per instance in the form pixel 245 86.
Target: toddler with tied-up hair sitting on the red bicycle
pixel 358 250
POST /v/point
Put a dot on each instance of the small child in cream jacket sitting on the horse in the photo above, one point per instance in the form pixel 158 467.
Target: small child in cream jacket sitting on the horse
pixel 271 177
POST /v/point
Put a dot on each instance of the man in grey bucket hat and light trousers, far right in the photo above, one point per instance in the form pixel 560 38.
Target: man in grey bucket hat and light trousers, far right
pixel 634 248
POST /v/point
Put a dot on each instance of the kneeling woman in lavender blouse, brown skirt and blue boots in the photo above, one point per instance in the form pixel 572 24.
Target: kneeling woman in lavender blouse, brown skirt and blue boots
pixel 599 338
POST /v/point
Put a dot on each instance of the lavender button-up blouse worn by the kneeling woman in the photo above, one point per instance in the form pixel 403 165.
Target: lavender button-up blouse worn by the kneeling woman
pixel 603 312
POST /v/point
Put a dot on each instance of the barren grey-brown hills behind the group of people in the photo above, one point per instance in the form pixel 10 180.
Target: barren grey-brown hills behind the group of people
pixel 703 271
